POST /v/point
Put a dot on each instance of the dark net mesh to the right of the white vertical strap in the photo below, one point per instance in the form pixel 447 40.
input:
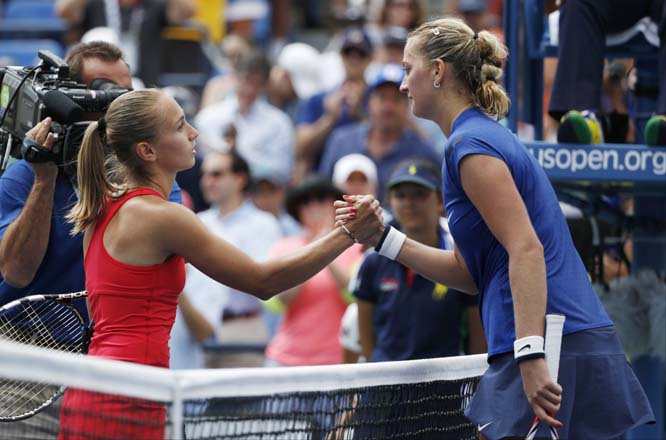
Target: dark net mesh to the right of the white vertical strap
pixel 401 411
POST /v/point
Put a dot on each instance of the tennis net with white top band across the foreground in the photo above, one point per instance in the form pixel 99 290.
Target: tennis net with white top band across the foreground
pixel 108 399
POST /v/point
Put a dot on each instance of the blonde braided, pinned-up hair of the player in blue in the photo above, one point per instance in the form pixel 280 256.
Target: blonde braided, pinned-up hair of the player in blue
pixel 476 59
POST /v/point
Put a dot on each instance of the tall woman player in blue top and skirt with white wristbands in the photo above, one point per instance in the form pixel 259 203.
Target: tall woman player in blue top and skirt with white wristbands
pixel 513 249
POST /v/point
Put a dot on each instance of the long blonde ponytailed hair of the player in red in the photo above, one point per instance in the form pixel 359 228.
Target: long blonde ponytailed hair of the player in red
pixel 107 156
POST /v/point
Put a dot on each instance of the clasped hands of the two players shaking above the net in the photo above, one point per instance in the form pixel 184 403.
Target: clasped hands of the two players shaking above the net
pixel 361 216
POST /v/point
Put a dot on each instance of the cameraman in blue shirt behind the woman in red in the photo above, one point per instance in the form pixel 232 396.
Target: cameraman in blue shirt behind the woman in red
pixel 37 253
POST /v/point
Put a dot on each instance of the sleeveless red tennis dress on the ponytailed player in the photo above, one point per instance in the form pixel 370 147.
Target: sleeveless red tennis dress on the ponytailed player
pixel 133 308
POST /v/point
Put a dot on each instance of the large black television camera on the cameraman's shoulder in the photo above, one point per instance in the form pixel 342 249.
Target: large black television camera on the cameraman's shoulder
pixel 30 94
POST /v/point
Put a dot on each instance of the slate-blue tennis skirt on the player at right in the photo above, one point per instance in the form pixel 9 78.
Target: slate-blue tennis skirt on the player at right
pixel 601 397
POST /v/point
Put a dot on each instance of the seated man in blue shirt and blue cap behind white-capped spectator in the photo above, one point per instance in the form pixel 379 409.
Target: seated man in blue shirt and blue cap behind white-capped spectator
pixel 386 137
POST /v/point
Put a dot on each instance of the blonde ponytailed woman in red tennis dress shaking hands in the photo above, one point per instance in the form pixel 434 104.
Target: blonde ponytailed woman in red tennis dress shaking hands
pixel 136 244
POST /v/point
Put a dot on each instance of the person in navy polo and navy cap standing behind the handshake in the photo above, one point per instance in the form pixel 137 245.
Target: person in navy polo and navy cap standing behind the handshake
pixel 402 315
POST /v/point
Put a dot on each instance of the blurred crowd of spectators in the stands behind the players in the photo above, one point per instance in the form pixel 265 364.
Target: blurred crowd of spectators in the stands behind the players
pixel 286 120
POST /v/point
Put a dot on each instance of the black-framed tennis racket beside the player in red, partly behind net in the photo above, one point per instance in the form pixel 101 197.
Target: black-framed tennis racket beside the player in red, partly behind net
pixel 49 321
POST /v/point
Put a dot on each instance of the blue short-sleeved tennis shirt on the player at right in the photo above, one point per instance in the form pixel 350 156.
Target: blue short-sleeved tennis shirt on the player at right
pixel 569 289
